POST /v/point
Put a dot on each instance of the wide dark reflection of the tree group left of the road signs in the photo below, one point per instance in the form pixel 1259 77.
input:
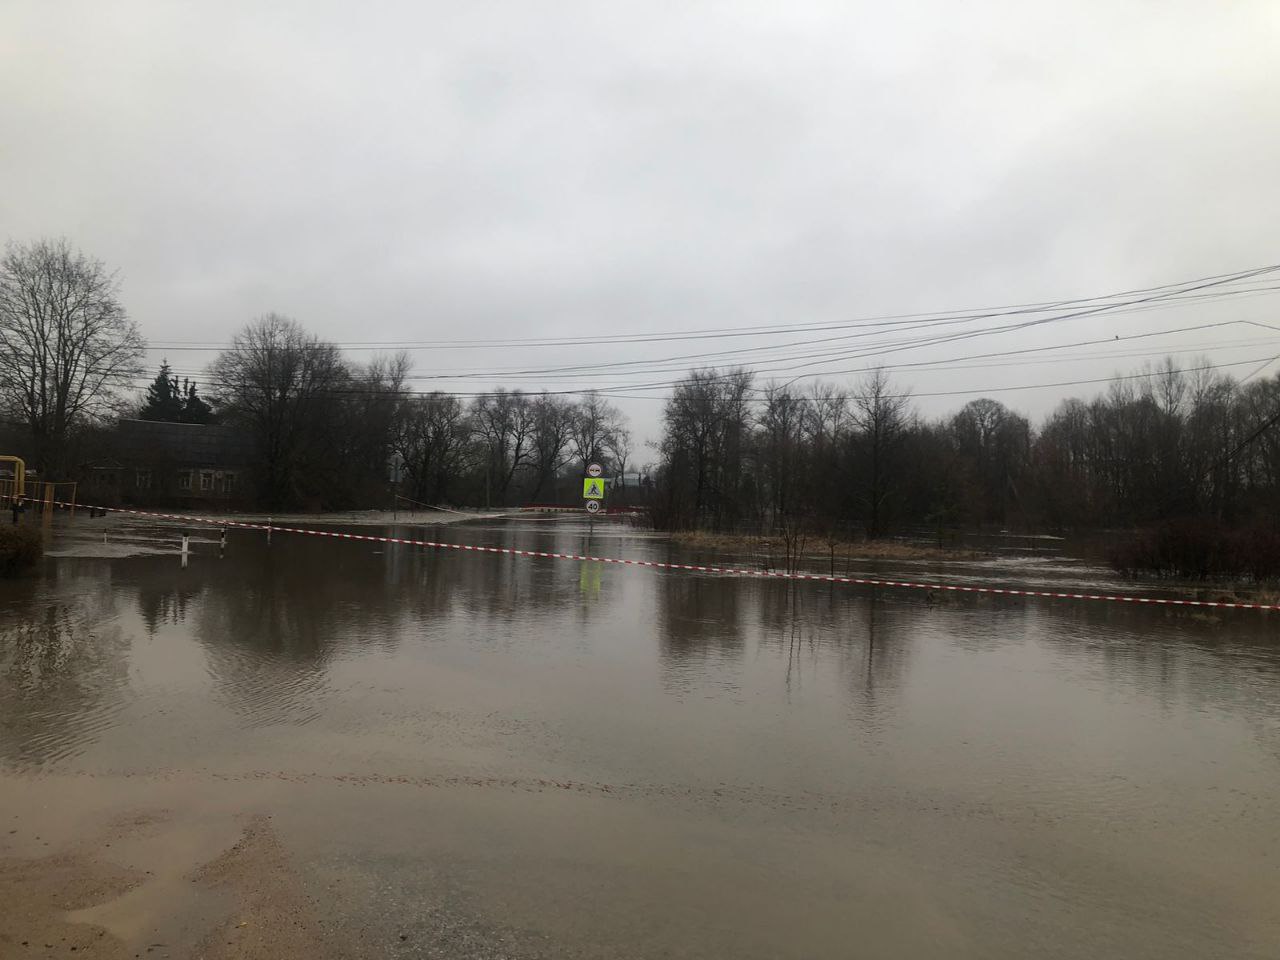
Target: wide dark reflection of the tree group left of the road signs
pixel 273 619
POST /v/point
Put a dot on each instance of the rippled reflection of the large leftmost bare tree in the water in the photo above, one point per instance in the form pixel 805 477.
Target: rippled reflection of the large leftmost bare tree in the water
pixel 63 673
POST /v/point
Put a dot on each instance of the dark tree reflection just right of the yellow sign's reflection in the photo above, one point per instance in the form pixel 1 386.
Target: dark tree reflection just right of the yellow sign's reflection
pixel 700 628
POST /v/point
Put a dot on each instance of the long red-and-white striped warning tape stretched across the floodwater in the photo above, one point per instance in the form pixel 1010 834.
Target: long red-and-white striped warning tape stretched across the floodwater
pixel 697 568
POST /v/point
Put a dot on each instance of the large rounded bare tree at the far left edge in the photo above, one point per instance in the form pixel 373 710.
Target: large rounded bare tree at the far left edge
pixel 67 348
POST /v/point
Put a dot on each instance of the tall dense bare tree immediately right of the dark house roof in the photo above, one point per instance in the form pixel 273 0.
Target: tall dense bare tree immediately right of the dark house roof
pixel 284 386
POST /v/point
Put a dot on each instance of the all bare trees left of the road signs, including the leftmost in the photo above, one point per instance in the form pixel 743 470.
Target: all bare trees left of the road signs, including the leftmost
pixel 326 432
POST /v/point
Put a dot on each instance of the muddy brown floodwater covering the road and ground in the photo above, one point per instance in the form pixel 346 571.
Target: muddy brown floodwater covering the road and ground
pixel 492 756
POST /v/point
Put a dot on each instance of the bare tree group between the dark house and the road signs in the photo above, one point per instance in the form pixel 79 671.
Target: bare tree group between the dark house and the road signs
pixel 328 432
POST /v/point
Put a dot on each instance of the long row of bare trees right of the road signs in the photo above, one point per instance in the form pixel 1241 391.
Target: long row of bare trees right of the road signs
pixel 861 461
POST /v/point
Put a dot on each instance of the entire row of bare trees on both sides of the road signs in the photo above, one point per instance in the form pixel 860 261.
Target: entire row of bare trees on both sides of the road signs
pixel 839 461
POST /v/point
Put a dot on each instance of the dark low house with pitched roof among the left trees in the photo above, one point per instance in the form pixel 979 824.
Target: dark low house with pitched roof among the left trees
pixel 152 463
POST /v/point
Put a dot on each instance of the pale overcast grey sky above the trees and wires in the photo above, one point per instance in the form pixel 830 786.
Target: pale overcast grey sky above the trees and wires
pixel 423 171
